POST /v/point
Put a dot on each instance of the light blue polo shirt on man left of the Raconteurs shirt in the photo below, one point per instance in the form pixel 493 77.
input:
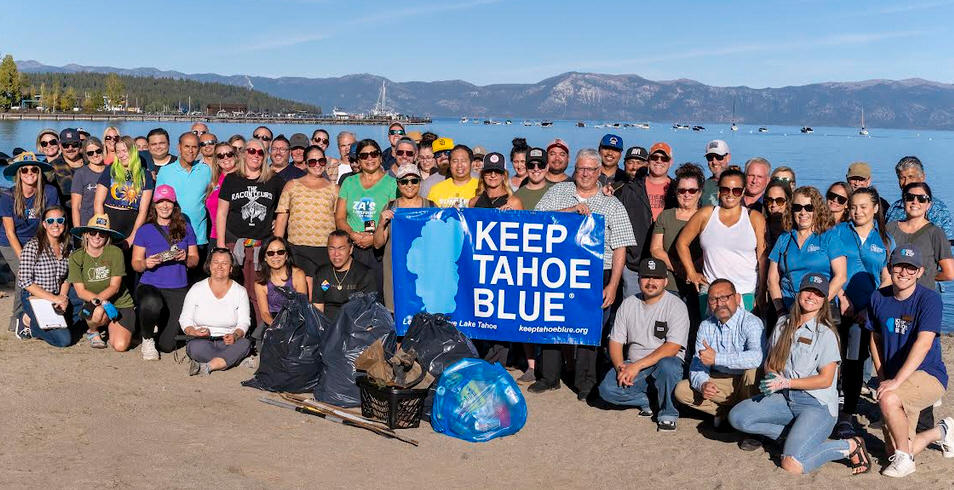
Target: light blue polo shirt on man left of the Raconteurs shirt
pixel 190 189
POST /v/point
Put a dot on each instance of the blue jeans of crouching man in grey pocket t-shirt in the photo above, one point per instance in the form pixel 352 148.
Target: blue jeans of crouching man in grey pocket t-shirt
pixel 665 376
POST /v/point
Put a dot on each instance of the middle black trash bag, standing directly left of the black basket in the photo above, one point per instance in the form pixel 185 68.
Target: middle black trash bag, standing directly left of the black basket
pixel 361 321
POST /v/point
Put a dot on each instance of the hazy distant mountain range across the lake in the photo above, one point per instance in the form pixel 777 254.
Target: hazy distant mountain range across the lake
pixel 911 103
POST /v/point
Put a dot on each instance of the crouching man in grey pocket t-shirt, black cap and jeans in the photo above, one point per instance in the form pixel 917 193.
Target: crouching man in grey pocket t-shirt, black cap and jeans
pixel 654 324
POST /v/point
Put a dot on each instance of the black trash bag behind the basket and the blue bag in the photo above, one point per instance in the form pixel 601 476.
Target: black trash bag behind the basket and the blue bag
pixel 439 345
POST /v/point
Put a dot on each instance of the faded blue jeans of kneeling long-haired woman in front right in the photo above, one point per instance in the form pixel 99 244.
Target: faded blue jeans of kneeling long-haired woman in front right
pixel 798 416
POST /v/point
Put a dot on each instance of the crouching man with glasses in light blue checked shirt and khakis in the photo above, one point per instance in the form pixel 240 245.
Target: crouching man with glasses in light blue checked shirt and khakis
pixel 729 348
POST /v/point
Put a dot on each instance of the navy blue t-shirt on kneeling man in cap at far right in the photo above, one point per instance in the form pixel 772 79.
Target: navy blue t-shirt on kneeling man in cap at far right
pixel 899 322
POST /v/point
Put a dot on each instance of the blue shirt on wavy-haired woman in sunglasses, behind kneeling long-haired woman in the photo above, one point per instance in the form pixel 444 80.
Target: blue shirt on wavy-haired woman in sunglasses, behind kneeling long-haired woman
pixel 815 255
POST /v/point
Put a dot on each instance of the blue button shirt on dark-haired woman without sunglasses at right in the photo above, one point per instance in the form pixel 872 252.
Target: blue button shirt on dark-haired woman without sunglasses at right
pixel 865 260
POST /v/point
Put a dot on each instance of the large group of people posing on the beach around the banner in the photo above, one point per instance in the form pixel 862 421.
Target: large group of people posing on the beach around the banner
pixel 741 294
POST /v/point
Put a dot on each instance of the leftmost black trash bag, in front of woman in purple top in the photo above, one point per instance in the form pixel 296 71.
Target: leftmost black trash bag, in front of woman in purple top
pixel 290 354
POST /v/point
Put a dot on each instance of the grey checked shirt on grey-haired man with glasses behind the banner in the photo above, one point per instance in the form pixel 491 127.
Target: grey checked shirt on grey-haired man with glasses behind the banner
pixel 619 231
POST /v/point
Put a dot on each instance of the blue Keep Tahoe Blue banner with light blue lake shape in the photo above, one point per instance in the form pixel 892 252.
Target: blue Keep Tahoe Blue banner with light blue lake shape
pixel 520 276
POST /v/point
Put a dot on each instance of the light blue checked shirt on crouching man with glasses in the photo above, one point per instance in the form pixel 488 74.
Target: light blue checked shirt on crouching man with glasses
pixel 739 344
